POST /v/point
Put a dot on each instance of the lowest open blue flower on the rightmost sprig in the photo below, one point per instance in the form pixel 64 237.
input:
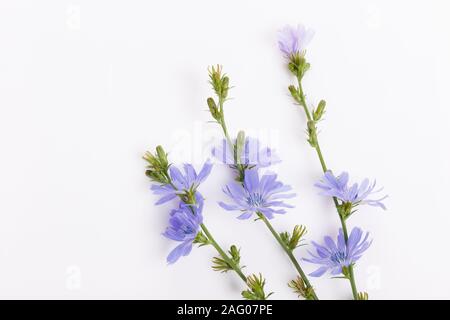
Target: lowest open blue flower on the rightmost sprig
pixel 334 256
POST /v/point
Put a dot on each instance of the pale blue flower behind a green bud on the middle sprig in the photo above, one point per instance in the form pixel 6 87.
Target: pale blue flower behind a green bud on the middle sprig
pixel 253 154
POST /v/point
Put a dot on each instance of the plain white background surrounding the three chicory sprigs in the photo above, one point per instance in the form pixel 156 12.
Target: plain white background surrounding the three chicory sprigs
pixel 87 86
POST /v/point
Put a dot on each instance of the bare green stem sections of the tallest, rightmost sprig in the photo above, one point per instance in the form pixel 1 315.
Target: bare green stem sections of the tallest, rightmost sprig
pixel 351 277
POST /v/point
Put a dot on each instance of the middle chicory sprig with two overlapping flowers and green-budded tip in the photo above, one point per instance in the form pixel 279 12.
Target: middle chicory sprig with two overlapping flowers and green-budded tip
pixel 252 194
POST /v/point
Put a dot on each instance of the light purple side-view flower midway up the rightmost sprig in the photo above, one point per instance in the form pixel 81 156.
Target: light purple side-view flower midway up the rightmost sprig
pixel 355 194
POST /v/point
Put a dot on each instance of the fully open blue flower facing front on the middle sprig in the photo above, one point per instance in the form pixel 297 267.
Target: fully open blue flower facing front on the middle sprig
pixel 257 195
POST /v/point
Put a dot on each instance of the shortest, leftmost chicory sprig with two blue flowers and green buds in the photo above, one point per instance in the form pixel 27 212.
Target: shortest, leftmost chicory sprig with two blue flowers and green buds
pixel 186 224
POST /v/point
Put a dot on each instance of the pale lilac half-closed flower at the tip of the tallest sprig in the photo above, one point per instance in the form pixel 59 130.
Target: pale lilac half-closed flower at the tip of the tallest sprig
pixel 292 41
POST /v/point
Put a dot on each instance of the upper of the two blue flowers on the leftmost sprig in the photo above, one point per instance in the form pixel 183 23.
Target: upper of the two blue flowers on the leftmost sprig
pixel 181 183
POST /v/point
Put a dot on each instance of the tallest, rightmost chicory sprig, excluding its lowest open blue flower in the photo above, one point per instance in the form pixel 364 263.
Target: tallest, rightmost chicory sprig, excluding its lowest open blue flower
pixel 292 43
